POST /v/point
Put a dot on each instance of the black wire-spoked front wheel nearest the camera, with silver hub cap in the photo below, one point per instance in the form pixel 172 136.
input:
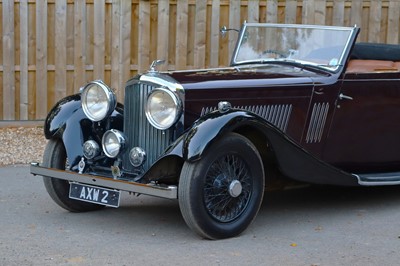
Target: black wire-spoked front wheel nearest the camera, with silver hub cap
pixel 220 195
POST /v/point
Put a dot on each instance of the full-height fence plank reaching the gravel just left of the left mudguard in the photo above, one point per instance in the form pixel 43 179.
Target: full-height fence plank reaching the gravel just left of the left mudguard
pixel 41 59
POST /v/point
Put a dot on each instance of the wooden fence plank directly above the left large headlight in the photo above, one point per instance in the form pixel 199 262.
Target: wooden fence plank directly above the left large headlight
pixel 99 39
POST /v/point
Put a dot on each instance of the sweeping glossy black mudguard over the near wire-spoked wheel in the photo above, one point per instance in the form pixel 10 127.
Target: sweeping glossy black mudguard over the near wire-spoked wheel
pixel 293 161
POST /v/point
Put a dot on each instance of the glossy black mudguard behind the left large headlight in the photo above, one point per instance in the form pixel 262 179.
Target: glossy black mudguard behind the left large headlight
pixel 68 122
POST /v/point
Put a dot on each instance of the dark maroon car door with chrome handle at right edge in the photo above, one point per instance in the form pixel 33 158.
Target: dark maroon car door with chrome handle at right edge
pixel 364 134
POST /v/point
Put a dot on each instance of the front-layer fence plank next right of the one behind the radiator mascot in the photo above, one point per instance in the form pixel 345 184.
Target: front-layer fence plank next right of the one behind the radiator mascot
pixel 181 34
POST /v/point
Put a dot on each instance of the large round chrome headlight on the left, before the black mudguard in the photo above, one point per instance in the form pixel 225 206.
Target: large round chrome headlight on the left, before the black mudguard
pixel 98 100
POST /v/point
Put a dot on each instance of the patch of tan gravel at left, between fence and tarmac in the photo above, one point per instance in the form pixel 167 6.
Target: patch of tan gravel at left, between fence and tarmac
pixel 21 145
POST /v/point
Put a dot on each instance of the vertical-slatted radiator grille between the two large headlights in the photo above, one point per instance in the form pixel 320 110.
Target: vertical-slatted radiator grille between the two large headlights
pixel 137 129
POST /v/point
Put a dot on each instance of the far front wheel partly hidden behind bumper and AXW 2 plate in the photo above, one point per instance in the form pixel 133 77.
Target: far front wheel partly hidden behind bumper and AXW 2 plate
pixel 55 157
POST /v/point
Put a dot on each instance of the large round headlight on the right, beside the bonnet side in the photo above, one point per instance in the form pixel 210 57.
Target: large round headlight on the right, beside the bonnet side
pixel 163 108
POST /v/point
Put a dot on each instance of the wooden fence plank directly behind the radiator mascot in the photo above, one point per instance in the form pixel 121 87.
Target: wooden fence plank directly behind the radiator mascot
pixel 163 33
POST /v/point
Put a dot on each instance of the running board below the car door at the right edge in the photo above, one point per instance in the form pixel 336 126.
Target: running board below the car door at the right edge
pixel 378 179
